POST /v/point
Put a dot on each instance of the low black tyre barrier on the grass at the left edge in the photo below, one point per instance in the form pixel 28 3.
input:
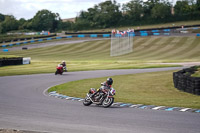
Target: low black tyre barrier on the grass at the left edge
pixel 11 61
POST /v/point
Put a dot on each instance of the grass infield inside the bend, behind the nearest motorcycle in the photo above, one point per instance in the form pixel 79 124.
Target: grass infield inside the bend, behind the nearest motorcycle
pixel 146 88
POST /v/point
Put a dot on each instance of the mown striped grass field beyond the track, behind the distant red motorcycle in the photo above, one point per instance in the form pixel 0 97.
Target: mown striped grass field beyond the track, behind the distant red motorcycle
pixel 148 52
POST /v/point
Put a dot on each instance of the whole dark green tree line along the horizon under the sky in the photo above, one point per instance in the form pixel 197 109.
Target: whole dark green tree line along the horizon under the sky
pixel 108 14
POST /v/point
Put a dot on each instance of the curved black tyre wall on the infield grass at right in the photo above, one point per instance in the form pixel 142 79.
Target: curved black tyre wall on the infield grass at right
pixel 184 82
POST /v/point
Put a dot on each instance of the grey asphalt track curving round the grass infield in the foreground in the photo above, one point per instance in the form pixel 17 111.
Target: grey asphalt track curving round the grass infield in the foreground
pixel 24 106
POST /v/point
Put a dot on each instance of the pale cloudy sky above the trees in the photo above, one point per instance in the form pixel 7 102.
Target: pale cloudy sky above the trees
pixel 66 8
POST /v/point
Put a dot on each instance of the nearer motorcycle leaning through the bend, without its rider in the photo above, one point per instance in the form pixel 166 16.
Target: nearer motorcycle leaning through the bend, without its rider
pixel 103 97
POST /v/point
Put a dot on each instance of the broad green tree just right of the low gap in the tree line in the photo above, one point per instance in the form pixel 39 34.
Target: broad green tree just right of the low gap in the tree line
pixel 103 15
